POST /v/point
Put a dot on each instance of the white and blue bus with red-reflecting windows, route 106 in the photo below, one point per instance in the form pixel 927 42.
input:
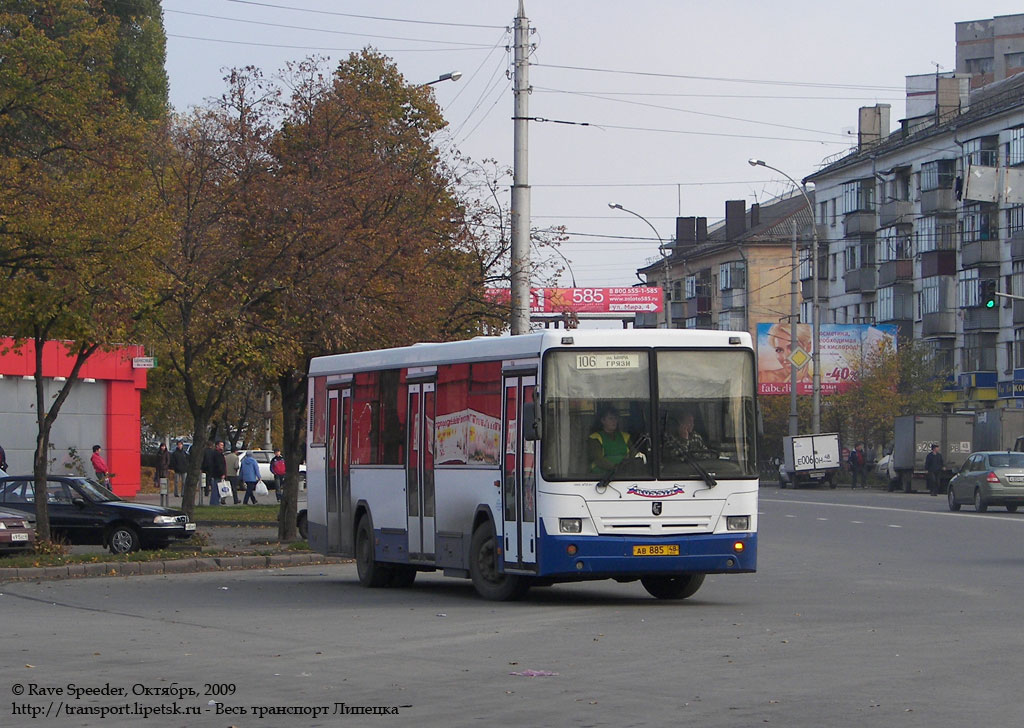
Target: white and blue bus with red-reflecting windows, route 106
pixel 538 459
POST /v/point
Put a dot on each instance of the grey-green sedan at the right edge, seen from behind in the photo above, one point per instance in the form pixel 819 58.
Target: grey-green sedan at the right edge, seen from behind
pixel 989 479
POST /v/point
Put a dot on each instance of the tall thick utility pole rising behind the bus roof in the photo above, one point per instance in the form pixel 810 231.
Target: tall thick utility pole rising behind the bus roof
pixel 521 179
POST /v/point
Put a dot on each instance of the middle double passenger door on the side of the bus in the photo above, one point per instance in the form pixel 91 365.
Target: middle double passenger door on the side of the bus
pixel 420 470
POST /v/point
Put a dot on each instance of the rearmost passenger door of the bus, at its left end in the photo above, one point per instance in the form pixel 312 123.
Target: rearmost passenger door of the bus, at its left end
pixel 340 538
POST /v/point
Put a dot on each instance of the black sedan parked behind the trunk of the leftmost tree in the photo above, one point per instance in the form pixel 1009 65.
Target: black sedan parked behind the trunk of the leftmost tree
pixel 83 512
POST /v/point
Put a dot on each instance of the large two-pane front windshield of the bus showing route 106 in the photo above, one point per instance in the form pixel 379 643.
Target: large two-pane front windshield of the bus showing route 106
pixel 667 414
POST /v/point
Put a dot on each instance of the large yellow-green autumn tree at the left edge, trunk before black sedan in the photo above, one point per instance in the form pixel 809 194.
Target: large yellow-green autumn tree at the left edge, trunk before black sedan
pixel 77 221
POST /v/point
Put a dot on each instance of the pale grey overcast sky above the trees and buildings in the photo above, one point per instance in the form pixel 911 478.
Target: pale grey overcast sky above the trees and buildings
pixel 655 105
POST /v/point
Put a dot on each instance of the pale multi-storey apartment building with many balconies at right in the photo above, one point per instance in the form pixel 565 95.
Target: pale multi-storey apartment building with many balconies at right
pixel 916 220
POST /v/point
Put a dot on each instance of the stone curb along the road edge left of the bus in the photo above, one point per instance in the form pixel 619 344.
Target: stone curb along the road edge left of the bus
pixel 193 566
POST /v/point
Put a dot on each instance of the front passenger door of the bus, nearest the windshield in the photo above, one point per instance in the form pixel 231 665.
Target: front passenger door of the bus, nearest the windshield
pixel 519 477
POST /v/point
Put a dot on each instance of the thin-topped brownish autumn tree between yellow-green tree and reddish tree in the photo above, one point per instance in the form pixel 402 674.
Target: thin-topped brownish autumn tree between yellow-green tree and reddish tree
pixel 210 331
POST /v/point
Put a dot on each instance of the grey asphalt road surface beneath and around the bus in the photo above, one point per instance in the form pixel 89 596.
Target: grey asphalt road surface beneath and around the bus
pixel 869 610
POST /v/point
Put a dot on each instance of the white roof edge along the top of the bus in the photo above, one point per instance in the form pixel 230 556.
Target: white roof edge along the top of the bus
pixel 484 349
